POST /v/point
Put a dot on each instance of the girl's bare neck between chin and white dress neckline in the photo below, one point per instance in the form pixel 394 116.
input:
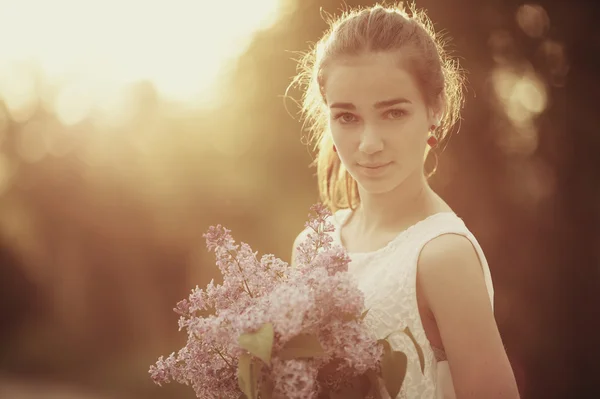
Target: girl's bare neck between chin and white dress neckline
pixel 411 201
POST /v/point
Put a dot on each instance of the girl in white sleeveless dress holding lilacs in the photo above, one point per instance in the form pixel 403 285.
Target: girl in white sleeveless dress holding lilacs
pixel 380 92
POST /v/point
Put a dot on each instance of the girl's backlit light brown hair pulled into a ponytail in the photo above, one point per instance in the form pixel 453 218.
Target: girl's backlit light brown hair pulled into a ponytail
pixel 361 31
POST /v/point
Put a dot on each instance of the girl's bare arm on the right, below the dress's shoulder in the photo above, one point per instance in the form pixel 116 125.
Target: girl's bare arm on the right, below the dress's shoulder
pixel 453 286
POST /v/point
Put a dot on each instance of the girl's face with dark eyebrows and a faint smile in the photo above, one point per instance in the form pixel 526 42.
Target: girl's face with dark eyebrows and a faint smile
pixel 378 119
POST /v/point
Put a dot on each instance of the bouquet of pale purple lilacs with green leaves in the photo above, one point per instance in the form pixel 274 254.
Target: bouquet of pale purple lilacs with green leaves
pixel 273 331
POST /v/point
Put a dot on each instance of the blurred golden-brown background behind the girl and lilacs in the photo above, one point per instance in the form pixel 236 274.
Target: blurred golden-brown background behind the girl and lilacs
pixel 127 128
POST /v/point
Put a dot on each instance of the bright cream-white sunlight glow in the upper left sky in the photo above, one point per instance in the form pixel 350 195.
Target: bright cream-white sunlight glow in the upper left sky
pixel 74 56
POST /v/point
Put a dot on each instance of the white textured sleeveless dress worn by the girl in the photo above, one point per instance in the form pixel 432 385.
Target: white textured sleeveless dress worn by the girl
pixel 387 277
